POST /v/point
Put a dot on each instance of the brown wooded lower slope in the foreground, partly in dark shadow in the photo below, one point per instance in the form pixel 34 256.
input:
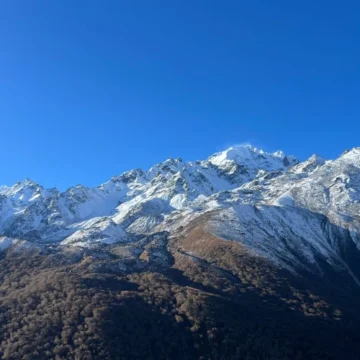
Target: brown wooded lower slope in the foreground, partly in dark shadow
pixel 229 306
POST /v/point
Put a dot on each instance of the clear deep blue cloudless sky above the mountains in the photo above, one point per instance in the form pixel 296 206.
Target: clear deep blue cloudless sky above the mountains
pixel 89 89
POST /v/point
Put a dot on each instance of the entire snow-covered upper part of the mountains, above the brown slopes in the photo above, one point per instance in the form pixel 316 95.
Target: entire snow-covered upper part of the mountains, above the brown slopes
pixel 296 214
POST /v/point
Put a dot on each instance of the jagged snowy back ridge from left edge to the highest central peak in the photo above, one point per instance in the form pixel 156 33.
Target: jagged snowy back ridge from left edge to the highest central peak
pixel 135 199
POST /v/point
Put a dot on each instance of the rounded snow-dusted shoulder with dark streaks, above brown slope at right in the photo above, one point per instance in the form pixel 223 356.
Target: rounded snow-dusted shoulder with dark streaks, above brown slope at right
pixel 292 238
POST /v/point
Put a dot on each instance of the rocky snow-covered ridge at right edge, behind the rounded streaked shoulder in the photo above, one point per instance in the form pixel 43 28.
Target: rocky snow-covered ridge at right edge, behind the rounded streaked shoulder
pixel 331 188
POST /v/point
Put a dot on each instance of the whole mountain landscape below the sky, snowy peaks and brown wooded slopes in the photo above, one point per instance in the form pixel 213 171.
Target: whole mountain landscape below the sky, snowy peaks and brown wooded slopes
pixel 245 255
